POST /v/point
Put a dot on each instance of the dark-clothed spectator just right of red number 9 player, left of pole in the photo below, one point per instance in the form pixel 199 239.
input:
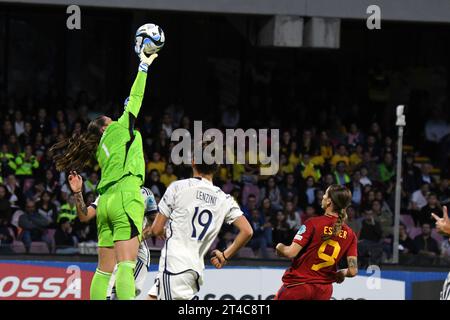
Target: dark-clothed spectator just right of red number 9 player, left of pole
pixel 370 249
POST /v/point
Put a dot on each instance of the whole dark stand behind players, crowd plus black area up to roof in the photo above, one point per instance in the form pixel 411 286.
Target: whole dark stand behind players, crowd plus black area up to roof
pixel 335 110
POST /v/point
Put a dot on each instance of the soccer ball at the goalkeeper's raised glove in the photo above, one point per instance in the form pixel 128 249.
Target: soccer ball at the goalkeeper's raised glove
pixel 150 38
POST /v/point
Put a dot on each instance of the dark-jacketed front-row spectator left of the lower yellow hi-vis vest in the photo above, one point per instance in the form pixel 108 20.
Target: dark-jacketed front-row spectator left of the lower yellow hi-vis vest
pixel 33 226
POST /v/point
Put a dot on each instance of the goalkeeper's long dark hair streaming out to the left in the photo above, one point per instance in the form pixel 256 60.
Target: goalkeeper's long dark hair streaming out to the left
pixel 76 152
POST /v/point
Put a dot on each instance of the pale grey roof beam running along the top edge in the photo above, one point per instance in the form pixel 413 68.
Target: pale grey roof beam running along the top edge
pixel 391 10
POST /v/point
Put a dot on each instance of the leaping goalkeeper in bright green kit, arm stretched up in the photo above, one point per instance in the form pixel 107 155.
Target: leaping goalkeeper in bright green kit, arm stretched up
pixel 117 147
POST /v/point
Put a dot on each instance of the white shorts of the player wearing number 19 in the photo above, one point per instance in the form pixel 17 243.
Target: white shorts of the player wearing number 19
pixel 182 286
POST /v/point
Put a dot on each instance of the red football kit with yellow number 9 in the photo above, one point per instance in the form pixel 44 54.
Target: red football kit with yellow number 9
pixel 313 271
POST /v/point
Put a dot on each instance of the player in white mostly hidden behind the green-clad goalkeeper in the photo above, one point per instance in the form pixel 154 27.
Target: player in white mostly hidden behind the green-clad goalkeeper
pixel 87 213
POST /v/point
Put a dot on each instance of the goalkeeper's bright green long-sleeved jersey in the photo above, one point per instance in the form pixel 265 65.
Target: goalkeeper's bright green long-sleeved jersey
pixel 120 152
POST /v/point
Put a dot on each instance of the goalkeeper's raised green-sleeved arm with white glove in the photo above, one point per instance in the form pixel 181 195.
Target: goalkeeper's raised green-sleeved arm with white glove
pixel 134 101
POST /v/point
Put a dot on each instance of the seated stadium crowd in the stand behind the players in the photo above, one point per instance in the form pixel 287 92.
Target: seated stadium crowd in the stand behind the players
pixel 38 213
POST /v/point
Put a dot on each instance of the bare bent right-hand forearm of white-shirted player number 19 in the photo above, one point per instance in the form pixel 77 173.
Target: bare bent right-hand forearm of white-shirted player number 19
pixel 220 258
